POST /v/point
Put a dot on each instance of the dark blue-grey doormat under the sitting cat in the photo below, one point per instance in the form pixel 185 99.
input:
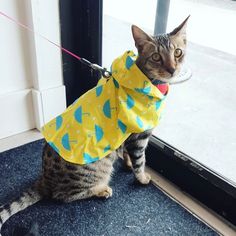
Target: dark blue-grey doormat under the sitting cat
pixel 132 210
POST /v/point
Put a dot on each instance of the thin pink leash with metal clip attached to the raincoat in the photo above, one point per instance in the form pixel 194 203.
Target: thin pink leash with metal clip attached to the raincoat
pixel 104 72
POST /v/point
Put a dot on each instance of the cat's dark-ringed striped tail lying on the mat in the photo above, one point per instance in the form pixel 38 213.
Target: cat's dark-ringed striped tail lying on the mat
pixel 27 198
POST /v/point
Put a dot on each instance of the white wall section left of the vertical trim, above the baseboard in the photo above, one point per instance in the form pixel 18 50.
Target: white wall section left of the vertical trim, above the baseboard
pixel 15 71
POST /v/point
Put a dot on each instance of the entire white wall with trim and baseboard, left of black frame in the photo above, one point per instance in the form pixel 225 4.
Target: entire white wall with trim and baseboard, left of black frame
pixel 31 84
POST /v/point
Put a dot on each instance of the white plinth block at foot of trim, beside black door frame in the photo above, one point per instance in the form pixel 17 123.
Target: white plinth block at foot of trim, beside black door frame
pixel 48 104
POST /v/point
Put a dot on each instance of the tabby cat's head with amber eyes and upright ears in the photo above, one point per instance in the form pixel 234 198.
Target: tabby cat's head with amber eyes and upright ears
pixel 160 57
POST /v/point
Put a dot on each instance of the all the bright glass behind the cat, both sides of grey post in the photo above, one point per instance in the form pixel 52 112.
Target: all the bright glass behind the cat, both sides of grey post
pixel 200 114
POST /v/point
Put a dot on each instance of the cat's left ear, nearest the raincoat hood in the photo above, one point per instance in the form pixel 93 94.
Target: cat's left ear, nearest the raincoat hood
pixel 140 38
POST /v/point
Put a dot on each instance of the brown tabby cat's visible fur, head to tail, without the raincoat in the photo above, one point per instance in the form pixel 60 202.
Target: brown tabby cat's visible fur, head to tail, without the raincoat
pixel 159 58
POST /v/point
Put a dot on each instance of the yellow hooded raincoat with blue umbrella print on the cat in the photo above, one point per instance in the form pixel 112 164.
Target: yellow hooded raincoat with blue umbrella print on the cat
pixel 100 120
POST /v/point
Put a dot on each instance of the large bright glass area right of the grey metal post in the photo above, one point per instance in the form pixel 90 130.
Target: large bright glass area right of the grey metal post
pixel 200 115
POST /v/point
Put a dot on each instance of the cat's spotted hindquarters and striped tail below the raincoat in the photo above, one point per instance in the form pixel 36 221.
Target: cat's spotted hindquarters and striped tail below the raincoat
pixel 64 181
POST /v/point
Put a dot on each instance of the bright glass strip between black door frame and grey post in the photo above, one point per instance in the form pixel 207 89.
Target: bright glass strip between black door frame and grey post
pixel 117 21
